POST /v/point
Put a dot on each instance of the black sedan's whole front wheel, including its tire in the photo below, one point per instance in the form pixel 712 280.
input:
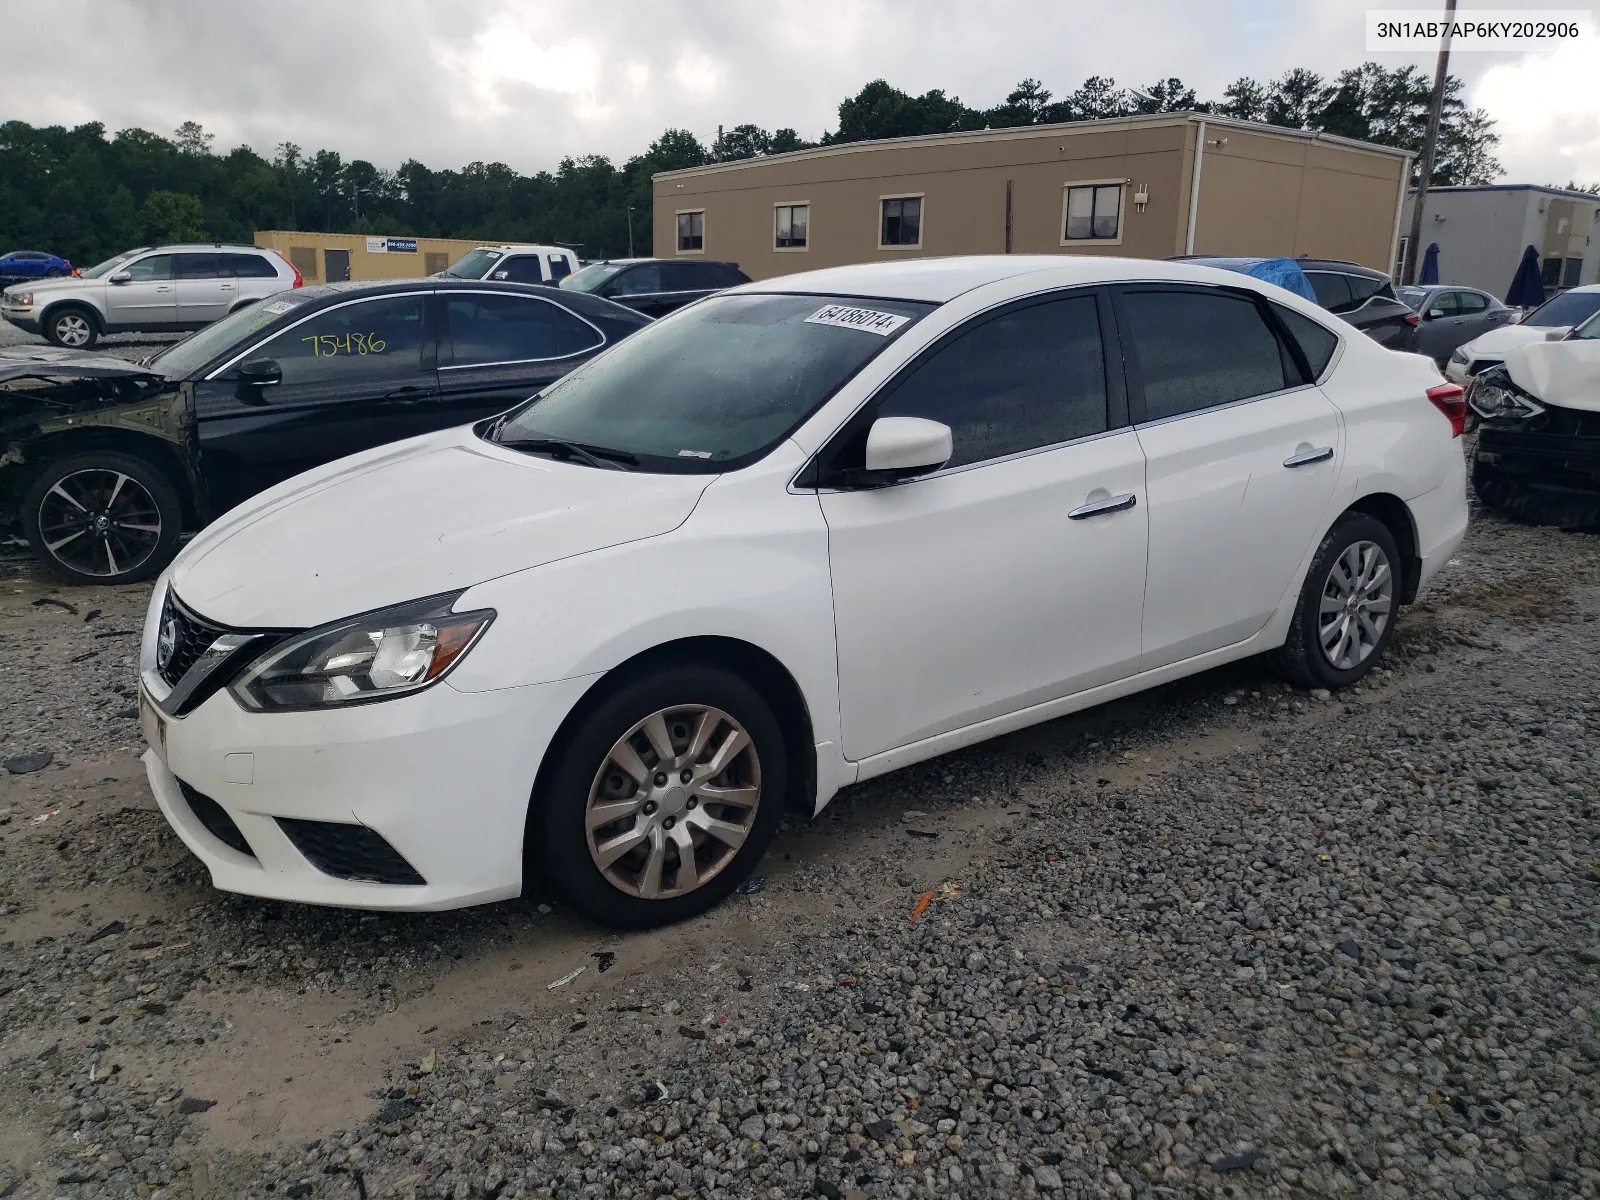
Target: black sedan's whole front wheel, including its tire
pixel 116 551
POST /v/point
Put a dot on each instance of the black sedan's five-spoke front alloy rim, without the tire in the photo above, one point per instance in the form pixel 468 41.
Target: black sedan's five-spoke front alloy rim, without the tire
pixel 100 522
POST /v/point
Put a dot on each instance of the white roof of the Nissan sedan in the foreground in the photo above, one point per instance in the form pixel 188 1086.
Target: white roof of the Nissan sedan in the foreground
pixel 945 279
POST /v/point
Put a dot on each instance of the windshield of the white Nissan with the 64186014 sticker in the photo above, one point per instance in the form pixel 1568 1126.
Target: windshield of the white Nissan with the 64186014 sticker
pixel 716 385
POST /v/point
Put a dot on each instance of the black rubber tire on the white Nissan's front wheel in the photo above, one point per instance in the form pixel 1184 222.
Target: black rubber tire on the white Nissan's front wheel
pixel 558 841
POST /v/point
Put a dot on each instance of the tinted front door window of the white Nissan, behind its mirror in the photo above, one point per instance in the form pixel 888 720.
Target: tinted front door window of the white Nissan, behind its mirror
pixel 1028 378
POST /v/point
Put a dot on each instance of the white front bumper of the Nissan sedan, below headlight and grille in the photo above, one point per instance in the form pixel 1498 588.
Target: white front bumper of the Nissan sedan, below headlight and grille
pixel 444 777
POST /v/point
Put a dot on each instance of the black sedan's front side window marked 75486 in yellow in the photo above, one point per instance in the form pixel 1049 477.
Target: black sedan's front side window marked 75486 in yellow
pixel 370 338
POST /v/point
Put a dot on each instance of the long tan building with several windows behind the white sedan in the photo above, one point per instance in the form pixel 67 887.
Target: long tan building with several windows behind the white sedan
pixel 1138 186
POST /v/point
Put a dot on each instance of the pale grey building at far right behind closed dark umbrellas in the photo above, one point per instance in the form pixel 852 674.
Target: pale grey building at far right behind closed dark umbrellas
pixel 1484 231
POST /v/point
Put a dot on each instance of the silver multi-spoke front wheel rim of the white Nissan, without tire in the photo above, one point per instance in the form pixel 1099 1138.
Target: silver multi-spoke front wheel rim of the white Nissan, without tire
pixel 674 802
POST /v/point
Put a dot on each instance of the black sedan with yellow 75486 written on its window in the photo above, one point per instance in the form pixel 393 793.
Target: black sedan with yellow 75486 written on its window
pixel 108 462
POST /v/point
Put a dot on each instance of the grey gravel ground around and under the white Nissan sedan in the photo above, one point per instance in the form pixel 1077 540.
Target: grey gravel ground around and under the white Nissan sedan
pixel 1220 940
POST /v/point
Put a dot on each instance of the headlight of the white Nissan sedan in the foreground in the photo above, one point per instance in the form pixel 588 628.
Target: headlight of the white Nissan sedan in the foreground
pixel 366 658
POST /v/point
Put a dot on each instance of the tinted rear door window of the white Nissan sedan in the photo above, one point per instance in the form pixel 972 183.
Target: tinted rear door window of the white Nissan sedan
pixel 1199 350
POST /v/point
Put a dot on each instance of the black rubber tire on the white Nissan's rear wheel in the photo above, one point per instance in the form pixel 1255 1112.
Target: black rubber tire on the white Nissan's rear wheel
pixel 1303 658
